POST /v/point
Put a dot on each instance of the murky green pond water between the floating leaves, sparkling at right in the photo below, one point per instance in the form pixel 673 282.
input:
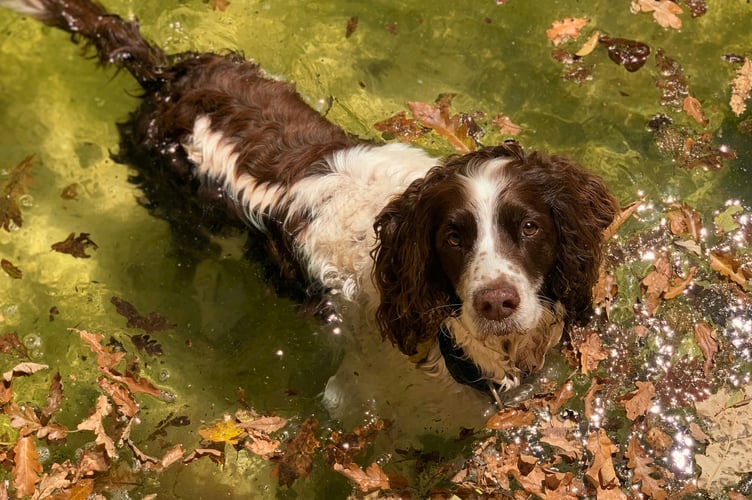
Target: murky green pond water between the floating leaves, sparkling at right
pixel 237 342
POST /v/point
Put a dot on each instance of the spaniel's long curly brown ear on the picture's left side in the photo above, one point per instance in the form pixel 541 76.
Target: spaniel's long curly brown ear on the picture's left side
pixel 414 295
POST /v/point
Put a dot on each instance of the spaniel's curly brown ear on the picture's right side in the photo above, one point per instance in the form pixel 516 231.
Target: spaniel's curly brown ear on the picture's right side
pixel 583 208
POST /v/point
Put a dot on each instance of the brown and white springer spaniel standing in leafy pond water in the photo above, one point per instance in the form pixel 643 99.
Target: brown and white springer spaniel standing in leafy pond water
pixel 471 265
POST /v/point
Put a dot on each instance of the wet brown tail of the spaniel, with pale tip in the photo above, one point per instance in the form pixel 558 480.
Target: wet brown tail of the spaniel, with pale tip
pixel 117 42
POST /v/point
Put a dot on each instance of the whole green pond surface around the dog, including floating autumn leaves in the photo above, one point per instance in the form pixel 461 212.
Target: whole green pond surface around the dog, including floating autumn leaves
pixel 228 373
